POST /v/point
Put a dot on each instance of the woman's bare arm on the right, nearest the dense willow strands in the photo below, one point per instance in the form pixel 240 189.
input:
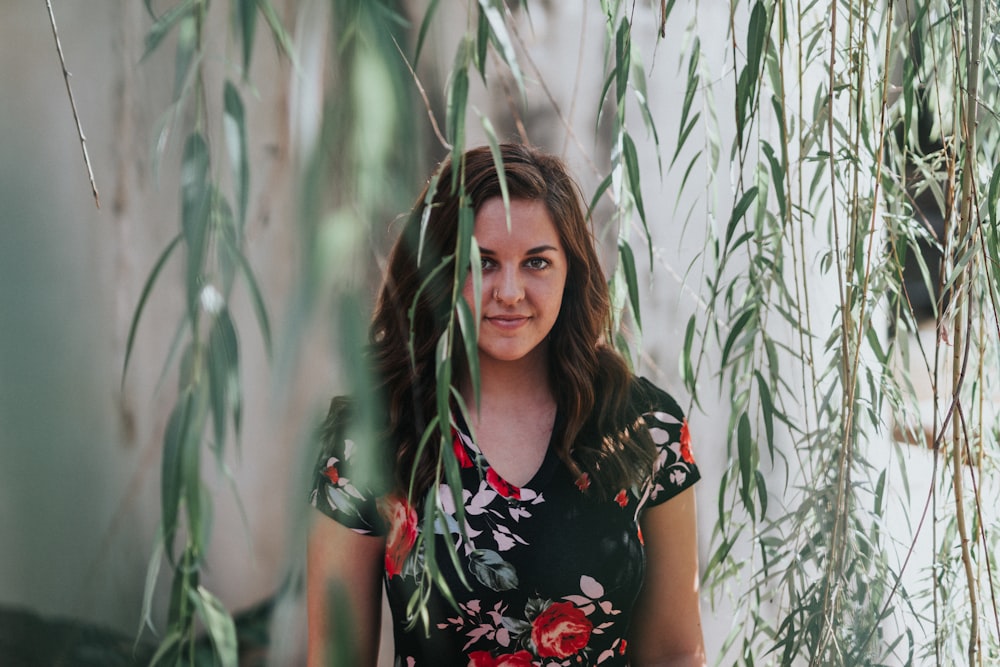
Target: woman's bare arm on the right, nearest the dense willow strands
pixel 666 626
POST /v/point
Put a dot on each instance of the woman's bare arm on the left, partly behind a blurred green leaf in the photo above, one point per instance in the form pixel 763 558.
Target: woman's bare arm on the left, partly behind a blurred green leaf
pixel 343 594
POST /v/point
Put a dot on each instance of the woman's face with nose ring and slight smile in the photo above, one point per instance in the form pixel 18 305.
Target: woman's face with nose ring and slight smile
pixel 524 275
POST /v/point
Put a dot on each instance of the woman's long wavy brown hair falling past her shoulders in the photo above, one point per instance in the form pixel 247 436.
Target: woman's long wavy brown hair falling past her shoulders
pixel 613 453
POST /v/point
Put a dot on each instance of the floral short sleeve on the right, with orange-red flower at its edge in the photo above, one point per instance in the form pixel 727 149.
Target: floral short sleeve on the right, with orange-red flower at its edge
pixel 674 469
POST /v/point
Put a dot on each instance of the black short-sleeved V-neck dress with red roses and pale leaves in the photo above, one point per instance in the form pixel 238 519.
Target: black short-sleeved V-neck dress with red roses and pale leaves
pixel 552 571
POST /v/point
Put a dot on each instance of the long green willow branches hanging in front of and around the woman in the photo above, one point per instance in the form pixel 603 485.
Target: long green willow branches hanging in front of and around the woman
pixel 857 157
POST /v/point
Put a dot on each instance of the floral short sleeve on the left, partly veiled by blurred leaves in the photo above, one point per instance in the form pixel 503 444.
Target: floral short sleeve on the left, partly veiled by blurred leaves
pixel 342 488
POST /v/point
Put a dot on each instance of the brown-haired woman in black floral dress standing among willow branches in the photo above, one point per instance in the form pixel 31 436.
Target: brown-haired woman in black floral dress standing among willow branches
pixel 570 554
